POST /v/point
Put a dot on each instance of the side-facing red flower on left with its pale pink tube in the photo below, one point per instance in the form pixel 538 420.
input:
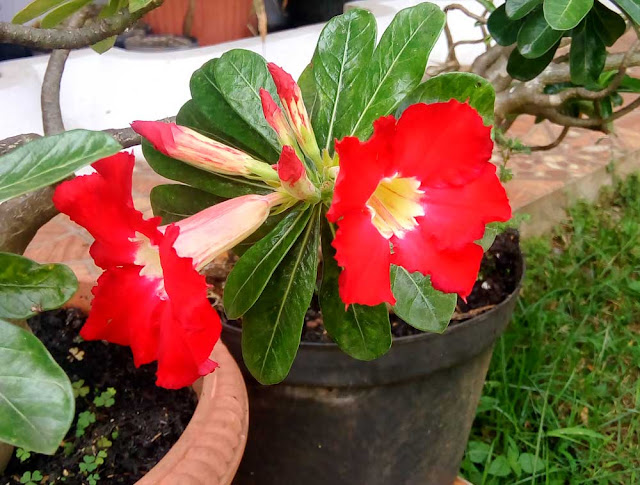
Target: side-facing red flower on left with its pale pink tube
pixel 151 296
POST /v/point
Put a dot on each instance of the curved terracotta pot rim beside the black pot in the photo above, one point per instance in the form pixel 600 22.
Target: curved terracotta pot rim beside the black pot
pixel 211 447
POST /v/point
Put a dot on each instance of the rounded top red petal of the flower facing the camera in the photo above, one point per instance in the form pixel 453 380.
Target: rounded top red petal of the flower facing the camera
pixel 441 143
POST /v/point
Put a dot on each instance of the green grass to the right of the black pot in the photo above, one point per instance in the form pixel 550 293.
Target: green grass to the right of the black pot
pixel 562 400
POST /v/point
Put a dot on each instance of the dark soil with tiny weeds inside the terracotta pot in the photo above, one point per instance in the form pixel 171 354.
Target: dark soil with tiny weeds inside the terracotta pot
pixel 142 424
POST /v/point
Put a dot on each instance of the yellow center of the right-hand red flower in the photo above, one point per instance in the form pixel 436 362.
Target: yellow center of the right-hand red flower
pixel 395 204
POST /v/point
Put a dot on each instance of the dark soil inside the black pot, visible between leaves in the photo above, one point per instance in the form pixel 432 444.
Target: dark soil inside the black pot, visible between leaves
pixel 499 275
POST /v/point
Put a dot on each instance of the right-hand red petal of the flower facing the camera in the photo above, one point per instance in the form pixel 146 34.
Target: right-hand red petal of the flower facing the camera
pixel 457 215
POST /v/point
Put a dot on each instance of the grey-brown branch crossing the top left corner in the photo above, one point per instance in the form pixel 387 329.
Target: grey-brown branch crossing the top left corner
pixel 72 38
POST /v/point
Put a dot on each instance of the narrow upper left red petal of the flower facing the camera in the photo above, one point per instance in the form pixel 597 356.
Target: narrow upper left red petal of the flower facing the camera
pixel 362 166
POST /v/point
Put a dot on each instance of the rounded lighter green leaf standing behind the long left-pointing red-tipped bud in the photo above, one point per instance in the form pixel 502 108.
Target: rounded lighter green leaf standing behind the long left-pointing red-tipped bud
pixel 240 74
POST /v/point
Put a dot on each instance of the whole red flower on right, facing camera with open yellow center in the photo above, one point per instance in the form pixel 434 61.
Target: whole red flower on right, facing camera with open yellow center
pixel 417 194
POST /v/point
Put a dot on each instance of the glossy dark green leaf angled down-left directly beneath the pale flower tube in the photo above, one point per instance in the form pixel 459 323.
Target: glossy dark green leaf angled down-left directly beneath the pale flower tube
pixel 251 273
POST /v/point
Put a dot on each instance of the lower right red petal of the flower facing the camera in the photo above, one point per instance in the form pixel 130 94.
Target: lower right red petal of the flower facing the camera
pixel 452 270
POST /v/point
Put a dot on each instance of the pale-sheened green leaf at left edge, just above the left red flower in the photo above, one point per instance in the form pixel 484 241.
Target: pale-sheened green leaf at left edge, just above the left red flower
pixel 50 159
